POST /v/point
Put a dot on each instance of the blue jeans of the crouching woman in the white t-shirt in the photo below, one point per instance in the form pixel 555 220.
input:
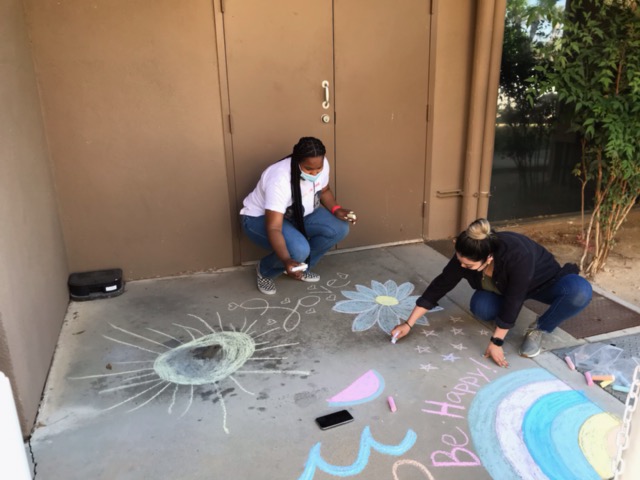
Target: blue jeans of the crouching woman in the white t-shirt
pixel 323 229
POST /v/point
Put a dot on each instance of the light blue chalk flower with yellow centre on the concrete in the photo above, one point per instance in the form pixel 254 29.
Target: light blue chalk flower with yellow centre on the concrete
pixel 386 304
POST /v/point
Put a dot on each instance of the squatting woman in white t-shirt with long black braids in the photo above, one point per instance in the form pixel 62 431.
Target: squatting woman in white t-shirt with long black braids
pixel 293 213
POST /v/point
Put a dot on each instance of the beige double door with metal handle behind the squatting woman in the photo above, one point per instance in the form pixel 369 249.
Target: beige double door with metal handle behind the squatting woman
pixel 350 72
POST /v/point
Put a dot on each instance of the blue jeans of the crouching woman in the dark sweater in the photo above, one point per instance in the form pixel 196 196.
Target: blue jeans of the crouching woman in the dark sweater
pixel 566 297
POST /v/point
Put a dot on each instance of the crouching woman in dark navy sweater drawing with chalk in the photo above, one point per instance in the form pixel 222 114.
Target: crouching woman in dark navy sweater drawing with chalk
pixel 505 269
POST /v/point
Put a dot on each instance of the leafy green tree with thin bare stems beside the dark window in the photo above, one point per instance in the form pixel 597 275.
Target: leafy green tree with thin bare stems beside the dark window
pixel 594 68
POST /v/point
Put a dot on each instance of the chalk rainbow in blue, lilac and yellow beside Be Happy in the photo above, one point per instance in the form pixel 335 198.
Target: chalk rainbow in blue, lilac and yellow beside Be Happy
pixel 529 424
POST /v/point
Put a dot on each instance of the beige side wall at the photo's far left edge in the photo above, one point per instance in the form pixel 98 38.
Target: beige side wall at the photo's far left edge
pixel 33 271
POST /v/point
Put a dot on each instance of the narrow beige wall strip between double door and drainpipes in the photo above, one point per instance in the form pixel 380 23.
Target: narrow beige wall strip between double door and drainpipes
pixel 451 69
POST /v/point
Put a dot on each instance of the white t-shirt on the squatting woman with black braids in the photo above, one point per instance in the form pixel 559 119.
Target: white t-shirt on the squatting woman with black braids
pixel 273 191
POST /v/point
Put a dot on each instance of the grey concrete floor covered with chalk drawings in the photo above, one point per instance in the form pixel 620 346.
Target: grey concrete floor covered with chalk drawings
pixel 202 377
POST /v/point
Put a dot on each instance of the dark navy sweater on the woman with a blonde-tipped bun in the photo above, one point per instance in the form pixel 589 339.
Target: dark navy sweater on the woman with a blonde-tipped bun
pixel 521 267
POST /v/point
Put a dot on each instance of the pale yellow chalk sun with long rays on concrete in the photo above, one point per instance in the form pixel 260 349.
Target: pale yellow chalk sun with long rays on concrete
pixel 204 358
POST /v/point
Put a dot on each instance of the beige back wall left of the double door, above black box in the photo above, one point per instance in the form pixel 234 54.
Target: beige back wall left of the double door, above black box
pixel 131 100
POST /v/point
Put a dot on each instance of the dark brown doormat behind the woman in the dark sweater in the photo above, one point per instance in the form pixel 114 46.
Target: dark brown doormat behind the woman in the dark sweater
pixel 602 315
